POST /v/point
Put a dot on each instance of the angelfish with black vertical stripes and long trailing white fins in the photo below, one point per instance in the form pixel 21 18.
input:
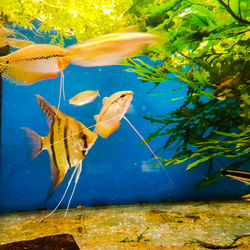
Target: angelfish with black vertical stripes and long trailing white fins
pixel 67 143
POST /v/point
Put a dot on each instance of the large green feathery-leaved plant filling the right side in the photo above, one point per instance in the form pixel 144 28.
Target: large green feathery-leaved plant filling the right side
pixel 205 49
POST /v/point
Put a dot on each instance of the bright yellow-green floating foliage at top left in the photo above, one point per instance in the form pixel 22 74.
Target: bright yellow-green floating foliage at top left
pixel 68 18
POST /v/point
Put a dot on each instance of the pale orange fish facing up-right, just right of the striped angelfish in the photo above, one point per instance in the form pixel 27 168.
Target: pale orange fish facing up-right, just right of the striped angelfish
pixel 113 109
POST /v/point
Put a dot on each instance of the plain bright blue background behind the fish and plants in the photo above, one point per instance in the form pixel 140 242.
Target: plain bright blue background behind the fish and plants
pixel 116 170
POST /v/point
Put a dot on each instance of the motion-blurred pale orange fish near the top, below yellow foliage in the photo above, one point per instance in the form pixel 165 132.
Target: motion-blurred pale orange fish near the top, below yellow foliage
pixel 110 49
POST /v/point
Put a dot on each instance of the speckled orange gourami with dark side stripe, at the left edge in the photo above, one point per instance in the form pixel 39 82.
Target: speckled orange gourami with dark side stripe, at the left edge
pixel 34 63
